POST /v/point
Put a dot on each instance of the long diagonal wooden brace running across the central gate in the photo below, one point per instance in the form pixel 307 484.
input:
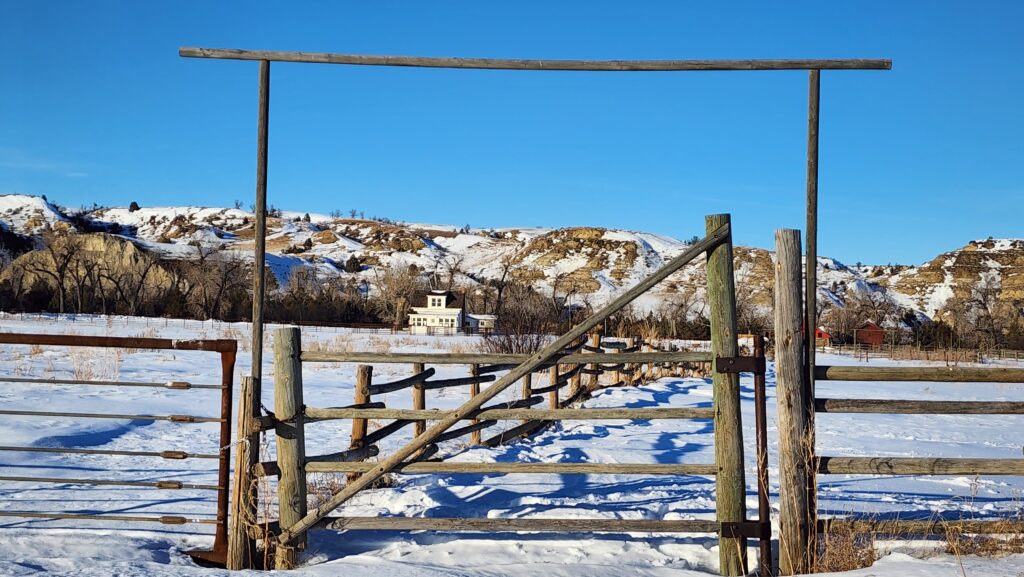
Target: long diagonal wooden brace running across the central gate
pixel 291 533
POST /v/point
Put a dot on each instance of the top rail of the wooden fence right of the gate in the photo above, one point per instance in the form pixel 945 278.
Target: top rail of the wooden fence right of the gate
pixel 937 375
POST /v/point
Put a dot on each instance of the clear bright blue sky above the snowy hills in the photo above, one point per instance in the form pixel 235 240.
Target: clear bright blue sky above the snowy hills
pixel 96 106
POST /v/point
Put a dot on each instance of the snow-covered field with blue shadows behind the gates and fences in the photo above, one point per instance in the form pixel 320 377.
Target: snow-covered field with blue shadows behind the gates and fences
pixel 79 548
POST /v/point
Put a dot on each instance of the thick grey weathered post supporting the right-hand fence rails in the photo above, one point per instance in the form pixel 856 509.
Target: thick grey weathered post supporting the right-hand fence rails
pixel 796 457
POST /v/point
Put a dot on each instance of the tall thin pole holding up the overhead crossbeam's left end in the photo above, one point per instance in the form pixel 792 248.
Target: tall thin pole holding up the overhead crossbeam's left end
pixel 261 252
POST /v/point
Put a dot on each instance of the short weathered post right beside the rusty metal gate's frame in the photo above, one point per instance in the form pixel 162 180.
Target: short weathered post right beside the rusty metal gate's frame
pixel 242 548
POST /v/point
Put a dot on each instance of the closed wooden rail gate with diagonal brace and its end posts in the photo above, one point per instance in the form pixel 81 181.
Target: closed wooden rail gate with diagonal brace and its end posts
pixel 293 464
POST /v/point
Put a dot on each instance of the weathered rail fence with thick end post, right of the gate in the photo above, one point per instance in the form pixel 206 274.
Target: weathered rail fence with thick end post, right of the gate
pixel 798 405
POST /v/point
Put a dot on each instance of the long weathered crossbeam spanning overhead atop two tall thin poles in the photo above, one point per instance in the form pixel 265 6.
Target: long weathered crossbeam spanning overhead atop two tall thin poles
pixel 536 65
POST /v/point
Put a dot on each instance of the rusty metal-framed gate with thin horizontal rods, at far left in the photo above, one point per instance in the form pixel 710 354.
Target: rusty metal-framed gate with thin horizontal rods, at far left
pixel 227 351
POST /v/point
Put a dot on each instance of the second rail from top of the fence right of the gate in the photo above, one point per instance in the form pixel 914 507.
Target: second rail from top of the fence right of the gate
pixel 919 407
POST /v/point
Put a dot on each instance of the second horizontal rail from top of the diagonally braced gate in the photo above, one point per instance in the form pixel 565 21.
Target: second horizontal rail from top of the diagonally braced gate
pixel 315 414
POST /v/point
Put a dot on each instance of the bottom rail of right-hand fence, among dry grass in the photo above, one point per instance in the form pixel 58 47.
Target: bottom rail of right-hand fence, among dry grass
pixel 925 527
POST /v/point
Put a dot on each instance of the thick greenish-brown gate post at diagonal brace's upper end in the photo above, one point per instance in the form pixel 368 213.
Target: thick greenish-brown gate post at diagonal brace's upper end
pixel 731 482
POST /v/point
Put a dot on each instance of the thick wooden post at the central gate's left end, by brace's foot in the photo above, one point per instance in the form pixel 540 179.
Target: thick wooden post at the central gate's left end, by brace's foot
pixel 291 438
